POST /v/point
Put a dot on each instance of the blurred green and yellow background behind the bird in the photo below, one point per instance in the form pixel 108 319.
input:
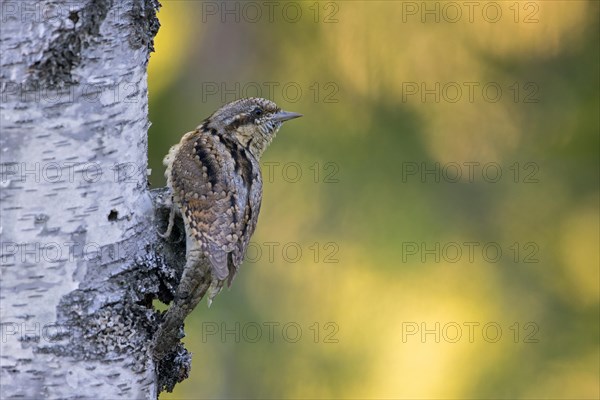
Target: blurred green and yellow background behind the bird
pixel 374 271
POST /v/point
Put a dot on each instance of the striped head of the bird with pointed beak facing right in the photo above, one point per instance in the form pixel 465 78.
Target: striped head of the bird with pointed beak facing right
pixel 253 122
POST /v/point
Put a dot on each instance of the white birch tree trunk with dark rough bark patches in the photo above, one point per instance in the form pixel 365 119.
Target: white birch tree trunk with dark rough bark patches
pixel 76 227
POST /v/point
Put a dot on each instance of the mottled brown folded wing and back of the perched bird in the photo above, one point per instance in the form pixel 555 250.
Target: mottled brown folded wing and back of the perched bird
pixel 211 195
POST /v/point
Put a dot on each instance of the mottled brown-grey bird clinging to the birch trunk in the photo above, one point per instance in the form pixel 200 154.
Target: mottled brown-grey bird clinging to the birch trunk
pixel 215 180
